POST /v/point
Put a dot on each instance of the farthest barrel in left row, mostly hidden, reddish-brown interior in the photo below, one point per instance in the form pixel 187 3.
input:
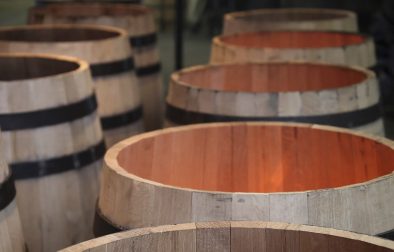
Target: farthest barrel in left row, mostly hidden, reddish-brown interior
pixel 138 21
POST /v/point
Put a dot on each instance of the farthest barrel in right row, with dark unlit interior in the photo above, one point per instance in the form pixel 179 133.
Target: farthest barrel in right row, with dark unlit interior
pixel 290 19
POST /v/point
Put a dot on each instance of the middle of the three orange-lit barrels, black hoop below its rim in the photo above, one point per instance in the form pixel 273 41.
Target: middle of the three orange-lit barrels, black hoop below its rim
pixel 318 93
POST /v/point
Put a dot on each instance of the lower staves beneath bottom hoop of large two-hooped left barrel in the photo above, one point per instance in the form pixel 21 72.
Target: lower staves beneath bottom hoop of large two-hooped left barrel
pixel 58 210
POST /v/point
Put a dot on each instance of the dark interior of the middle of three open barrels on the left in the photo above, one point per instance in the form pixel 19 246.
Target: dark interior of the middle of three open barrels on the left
pixel 56 34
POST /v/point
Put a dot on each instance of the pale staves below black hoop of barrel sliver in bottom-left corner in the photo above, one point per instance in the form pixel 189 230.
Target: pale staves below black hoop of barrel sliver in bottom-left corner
pixel 11 236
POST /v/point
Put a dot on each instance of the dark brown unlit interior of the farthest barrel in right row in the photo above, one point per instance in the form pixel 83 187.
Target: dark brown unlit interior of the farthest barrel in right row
pixel 289 16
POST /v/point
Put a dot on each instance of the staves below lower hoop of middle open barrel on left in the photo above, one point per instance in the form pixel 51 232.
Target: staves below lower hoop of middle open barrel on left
pixel 115 135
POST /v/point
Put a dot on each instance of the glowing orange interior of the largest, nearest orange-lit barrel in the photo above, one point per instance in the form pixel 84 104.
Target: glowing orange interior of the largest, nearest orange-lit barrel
pixel 259 158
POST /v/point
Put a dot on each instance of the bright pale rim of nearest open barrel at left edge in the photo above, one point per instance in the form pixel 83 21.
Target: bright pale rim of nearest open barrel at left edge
pixel 83 66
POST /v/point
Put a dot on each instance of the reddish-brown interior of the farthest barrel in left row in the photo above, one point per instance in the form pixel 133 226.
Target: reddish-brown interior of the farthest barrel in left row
pixel 84 10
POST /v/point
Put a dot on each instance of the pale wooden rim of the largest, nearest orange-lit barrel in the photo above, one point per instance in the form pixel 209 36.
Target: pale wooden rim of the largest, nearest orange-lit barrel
pixel 111 161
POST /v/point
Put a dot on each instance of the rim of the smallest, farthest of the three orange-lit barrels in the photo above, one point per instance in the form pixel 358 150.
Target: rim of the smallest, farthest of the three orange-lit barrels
pixel 218 40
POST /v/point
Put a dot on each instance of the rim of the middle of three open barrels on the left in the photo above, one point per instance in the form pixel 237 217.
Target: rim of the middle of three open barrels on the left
pixel 119 33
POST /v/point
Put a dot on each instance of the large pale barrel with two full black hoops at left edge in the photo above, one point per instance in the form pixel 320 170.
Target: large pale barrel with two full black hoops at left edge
pixel 53 144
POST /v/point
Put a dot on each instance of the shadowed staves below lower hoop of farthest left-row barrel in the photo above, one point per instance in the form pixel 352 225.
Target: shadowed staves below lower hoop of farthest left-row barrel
pixel 153 102
